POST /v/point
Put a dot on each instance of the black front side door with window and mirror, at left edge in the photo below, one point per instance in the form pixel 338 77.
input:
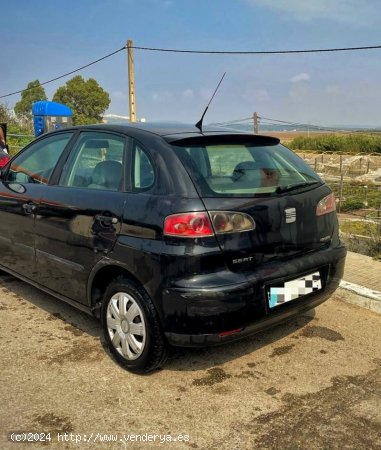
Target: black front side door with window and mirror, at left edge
pixel 24 183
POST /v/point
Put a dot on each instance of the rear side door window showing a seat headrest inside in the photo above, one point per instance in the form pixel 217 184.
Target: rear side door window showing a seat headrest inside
pixel 96 162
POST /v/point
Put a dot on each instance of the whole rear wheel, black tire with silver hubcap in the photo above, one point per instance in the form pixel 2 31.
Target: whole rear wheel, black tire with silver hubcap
pixel 131 327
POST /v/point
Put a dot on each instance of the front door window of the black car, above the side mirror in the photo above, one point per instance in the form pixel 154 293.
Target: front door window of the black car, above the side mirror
pixel 36 164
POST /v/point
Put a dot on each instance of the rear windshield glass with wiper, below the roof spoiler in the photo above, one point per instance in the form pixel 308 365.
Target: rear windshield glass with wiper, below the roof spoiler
pixel 243 169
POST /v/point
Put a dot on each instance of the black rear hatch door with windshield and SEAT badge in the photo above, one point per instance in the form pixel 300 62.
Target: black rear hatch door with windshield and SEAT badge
pixel 258 177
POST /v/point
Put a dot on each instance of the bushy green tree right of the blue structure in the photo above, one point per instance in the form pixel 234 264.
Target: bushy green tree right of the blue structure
pixel 87 100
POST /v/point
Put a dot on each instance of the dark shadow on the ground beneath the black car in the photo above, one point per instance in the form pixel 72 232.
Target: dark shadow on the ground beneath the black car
pixel 179 359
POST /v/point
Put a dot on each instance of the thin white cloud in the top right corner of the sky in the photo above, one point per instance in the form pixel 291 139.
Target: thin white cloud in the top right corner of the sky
pixel 346 11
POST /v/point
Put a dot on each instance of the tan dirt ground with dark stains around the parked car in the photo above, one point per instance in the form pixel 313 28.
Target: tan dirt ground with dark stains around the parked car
pixel 314 383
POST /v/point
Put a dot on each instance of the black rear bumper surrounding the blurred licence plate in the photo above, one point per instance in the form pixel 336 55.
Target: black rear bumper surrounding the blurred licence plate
pixel 201 316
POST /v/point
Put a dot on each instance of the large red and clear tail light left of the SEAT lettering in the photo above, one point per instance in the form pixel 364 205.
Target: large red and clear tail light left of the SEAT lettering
pixel 201 224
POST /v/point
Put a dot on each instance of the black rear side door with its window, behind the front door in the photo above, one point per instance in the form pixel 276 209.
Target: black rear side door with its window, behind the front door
pixel 79 218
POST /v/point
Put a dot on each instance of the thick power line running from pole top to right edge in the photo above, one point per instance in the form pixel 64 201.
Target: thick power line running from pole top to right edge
pixel 271 52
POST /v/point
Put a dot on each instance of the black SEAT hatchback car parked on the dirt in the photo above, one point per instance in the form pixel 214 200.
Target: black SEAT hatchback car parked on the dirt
pixel 168 234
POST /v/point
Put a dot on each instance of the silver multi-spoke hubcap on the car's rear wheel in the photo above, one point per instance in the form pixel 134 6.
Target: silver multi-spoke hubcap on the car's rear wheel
pixel 126 326
